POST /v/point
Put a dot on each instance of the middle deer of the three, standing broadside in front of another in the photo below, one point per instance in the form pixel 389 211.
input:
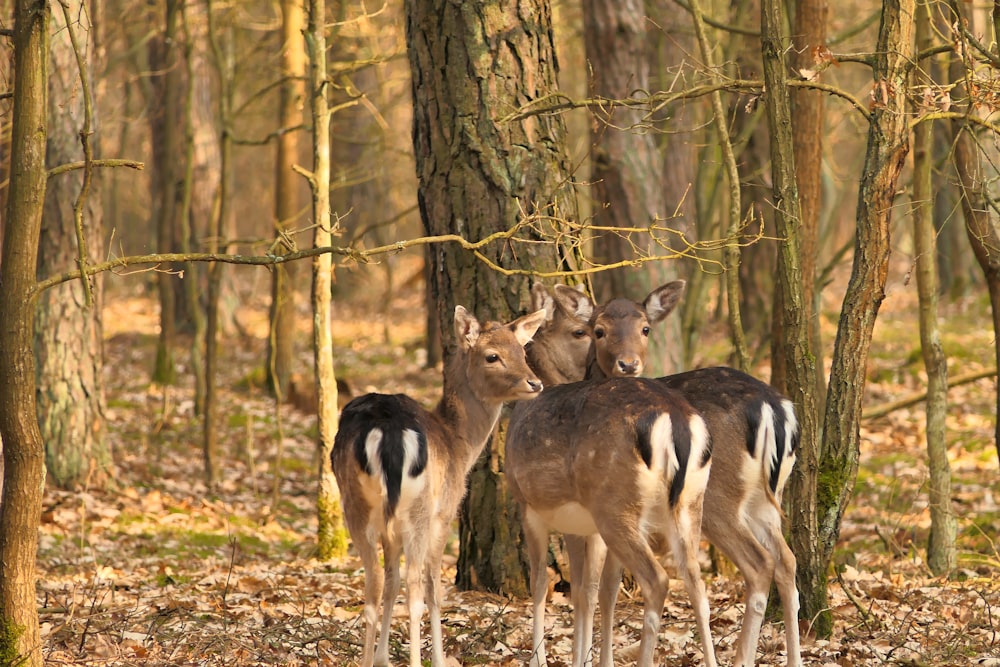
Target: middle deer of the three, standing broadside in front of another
pixel 619 466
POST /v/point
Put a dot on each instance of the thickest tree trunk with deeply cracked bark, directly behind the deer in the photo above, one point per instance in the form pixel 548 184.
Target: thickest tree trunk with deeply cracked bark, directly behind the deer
pixel 478 176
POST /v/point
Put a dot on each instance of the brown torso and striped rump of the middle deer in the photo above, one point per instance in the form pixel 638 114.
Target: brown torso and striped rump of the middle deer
pixel 609 443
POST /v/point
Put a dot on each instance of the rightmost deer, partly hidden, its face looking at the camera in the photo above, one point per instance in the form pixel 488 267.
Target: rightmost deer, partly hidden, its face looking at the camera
pixel 754 434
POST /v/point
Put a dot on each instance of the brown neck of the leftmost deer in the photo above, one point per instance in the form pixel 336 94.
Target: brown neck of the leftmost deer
pixel 469 418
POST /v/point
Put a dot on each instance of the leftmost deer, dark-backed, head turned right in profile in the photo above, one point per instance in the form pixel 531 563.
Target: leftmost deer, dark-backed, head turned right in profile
pixel 402 471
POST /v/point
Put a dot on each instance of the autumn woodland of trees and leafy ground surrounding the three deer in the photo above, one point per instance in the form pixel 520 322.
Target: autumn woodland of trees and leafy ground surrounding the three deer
pixel 785 158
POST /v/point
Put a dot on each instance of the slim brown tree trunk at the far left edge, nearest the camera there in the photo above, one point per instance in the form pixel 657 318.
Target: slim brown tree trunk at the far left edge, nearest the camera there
pixel 23 454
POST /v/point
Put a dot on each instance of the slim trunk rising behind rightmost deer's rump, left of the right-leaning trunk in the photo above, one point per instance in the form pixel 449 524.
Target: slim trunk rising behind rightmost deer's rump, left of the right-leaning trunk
pixel 795 354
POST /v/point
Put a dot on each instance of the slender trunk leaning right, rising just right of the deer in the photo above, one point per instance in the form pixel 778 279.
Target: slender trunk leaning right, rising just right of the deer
pixel 888 144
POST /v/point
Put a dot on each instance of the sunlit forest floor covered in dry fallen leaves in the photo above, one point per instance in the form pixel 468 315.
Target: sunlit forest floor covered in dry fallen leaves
pixel 160 570
